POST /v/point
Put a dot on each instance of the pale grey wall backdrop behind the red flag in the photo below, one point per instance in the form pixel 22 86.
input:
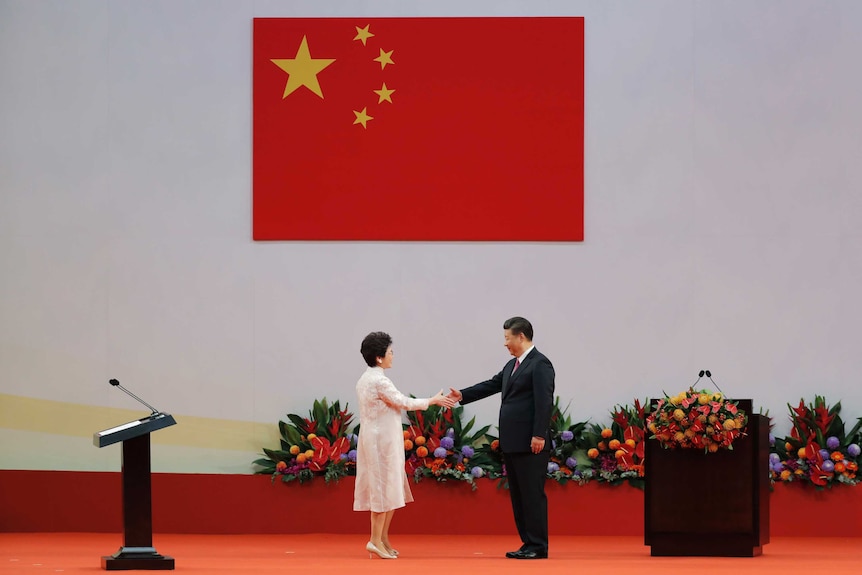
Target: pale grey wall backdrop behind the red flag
pixel 722 225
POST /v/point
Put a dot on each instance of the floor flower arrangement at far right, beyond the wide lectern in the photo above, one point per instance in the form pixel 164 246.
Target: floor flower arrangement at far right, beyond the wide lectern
pixel 818 451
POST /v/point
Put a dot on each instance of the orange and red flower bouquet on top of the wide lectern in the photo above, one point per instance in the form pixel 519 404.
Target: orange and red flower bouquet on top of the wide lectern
pixel 696 420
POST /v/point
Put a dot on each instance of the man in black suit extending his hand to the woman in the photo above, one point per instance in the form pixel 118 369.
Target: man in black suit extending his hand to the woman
pixel 527 387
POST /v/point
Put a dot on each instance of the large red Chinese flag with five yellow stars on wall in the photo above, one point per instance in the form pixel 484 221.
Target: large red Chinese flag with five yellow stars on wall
pixel 462 129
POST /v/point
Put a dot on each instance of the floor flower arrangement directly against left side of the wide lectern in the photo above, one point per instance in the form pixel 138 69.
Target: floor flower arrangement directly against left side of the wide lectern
pixel 616 453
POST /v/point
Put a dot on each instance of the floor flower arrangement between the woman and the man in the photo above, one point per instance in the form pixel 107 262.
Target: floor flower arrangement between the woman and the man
pixel 438 444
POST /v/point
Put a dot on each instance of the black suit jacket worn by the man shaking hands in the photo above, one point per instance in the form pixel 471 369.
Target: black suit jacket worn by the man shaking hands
pixel 526 404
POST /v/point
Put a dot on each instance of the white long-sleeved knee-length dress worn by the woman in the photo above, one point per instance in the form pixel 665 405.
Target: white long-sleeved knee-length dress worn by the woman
pixel 381 482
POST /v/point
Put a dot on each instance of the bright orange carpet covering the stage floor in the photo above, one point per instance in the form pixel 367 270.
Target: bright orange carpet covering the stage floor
pixel 71 553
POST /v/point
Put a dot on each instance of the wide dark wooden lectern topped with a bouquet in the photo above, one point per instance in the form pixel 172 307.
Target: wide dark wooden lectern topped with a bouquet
pixel 709 504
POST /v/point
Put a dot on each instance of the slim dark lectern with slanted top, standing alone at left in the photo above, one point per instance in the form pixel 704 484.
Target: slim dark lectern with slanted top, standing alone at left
pixel 137 551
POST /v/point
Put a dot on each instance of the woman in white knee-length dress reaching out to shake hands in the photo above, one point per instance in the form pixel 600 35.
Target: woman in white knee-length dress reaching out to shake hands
pixel 381 482
